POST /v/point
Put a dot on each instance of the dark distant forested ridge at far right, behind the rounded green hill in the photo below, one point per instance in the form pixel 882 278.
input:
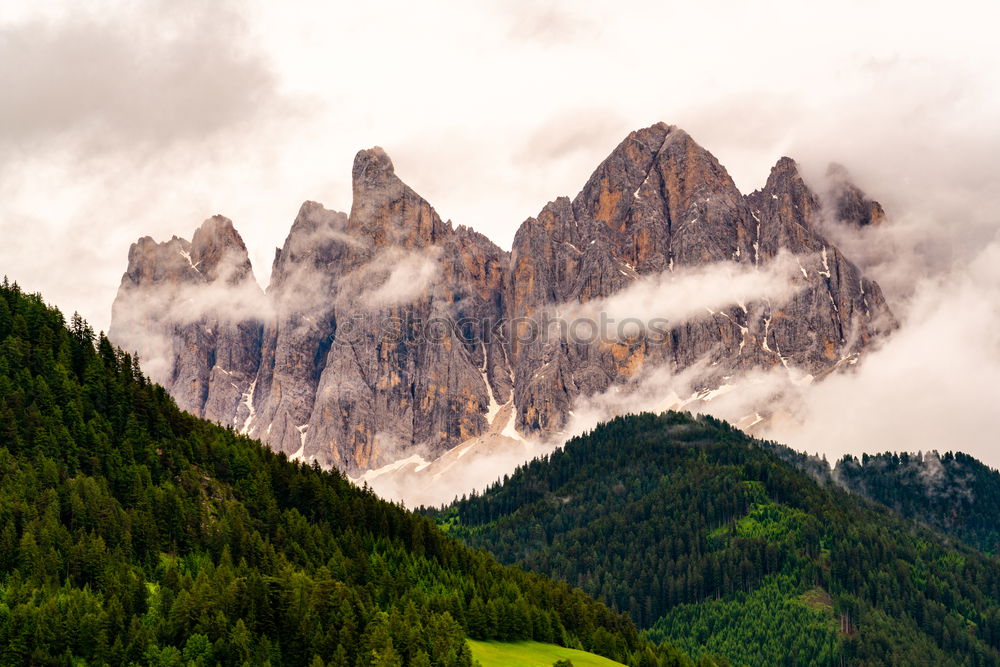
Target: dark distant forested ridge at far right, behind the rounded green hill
pixel 952 492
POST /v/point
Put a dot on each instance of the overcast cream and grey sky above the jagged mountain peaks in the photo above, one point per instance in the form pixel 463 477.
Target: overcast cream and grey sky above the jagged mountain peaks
pixel 120 120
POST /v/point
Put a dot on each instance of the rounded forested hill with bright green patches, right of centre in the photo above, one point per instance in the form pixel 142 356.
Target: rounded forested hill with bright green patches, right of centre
pixel 712 541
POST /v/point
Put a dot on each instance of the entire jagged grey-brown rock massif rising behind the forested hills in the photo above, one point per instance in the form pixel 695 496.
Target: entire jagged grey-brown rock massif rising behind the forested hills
pixel 389 332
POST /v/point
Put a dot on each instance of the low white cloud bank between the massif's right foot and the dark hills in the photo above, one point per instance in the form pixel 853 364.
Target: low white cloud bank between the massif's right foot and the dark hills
pixel 930 386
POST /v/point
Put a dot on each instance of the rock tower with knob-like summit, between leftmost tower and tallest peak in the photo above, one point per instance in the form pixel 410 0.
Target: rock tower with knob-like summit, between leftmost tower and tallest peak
pixel 350 375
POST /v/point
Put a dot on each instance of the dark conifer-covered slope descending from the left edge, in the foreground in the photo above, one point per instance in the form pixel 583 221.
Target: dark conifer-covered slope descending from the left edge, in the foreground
pixel 131 532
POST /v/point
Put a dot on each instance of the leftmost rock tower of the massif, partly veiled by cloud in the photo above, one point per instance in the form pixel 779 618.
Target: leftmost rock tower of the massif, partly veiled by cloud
pixel 188 309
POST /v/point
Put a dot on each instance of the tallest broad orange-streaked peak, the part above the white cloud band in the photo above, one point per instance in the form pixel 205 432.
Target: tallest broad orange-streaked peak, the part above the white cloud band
pixel 658 200
